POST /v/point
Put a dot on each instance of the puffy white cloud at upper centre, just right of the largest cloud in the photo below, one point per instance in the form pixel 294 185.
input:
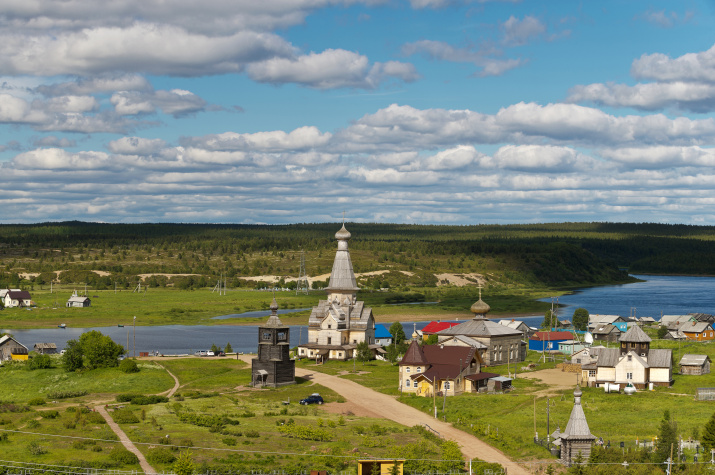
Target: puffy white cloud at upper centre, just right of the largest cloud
pixel 333 68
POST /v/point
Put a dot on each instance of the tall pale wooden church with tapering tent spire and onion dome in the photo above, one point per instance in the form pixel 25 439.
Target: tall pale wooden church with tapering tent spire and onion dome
pixel 337 324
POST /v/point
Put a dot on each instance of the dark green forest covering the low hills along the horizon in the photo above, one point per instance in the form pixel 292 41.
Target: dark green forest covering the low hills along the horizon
pixel 552 255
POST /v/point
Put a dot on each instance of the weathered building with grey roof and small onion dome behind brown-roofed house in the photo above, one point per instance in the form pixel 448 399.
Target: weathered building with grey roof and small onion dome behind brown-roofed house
pixel 503 344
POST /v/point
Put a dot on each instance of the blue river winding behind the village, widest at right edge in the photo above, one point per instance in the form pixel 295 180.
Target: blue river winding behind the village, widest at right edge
pixel 671 295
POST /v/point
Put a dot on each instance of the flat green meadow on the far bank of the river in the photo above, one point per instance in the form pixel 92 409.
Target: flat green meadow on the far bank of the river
pixel 162 306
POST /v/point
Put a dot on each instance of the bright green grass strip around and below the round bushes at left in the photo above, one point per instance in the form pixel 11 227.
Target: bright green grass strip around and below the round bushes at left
pixel 26 385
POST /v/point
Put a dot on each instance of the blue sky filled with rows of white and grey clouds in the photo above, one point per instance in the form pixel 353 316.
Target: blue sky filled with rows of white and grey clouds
pixel 392 111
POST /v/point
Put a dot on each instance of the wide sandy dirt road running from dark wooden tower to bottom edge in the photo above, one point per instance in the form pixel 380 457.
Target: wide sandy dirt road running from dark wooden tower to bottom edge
pixel 387 407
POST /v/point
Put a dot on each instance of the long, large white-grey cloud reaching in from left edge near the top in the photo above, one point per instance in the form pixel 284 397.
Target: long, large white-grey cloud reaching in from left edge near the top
pixel 140 47
